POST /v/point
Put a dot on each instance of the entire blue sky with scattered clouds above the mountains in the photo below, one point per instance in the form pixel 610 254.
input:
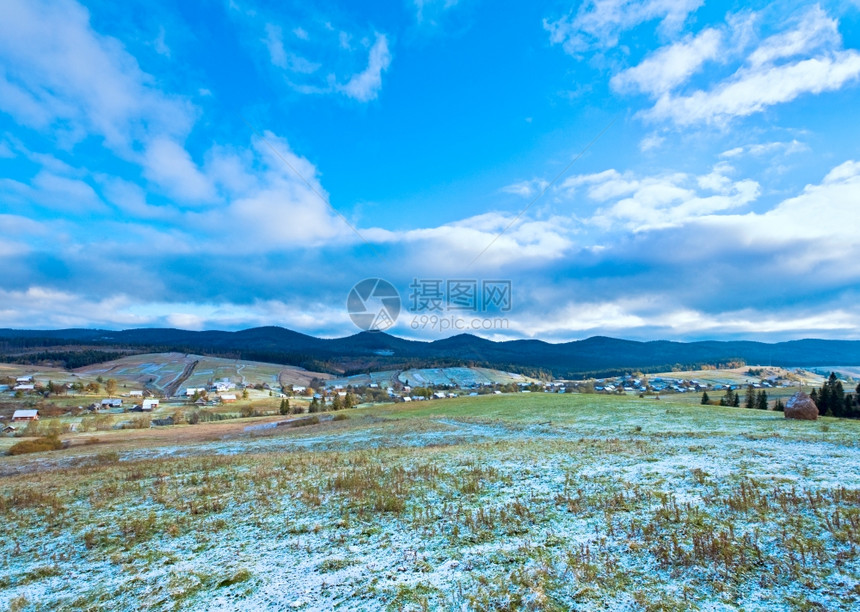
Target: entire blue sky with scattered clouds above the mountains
pixel 642 169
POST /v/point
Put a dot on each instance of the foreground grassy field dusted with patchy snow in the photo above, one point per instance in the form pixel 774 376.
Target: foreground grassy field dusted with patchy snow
pixel 537 501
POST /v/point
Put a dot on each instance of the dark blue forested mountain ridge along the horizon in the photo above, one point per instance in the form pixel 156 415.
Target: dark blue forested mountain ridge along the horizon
pixel 376 350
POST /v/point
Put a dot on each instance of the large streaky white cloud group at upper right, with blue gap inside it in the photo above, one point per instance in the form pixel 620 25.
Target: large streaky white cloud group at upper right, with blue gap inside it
pixel 805 59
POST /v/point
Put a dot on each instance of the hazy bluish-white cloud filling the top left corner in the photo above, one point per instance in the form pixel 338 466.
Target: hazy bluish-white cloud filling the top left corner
pixel 58 74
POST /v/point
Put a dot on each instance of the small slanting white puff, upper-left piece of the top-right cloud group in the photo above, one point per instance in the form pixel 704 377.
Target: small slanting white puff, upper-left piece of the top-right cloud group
pixel 670 66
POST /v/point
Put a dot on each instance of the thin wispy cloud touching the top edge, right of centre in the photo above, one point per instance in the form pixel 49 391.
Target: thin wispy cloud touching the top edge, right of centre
pixel 599 23
